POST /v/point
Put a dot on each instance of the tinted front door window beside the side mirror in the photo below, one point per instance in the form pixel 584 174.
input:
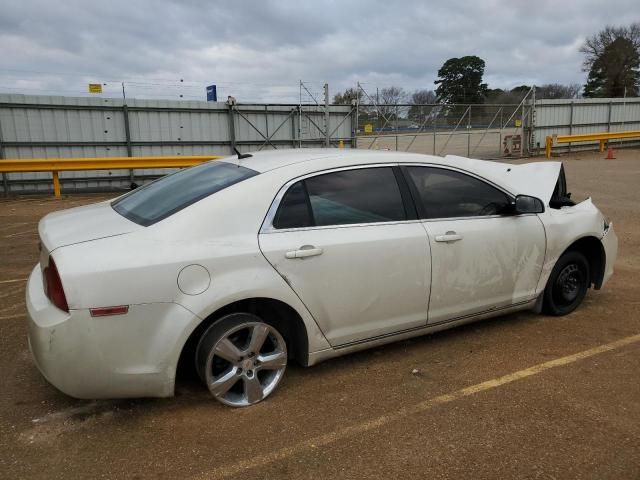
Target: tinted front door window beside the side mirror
pixel 447 193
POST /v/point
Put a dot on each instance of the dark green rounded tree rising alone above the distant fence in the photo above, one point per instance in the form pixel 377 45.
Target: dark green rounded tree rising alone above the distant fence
pixel 460 80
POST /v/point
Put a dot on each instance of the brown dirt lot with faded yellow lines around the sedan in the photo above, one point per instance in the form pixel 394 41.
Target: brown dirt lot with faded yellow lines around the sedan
pixel 521 396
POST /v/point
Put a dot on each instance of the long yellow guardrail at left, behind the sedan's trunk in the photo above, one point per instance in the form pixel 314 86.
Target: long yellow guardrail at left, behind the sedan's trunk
pixel 56 165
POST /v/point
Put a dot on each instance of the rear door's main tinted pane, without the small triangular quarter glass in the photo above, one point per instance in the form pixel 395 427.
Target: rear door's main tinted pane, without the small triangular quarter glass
pixel 355 196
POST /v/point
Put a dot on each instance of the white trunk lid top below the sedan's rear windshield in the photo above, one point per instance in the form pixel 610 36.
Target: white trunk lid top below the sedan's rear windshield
pixel 82 224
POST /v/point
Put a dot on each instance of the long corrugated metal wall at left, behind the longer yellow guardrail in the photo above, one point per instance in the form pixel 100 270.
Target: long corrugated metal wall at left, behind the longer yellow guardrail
pixel 56 127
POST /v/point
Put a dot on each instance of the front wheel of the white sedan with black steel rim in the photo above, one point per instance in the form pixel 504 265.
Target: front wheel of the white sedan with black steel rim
pixel 567 284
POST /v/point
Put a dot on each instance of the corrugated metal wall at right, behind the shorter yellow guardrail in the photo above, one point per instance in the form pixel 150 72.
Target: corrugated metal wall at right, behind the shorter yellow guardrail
pixel 587 115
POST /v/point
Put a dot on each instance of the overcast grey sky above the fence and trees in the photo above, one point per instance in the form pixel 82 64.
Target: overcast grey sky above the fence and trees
pixel 260 50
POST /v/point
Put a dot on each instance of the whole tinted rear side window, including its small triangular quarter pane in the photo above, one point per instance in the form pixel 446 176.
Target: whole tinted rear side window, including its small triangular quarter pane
pixel 367 195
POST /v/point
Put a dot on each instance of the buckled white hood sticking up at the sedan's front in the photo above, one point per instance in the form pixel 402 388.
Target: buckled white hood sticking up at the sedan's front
pixel 537 179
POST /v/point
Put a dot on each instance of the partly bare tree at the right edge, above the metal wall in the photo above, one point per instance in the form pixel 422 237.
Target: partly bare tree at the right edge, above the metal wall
pixel 612 58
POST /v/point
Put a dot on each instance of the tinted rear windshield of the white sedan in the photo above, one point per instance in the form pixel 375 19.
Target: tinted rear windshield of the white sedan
pixel 164 197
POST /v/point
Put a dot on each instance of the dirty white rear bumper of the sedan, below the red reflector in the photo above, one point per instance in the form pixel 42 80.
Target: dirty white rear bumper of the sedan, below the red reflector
pixel 123 356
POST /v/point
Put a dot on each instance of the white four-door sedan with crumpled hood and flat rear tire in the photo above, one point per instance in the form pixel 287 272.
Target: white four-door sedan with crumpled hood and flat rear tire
pixel 242 264
